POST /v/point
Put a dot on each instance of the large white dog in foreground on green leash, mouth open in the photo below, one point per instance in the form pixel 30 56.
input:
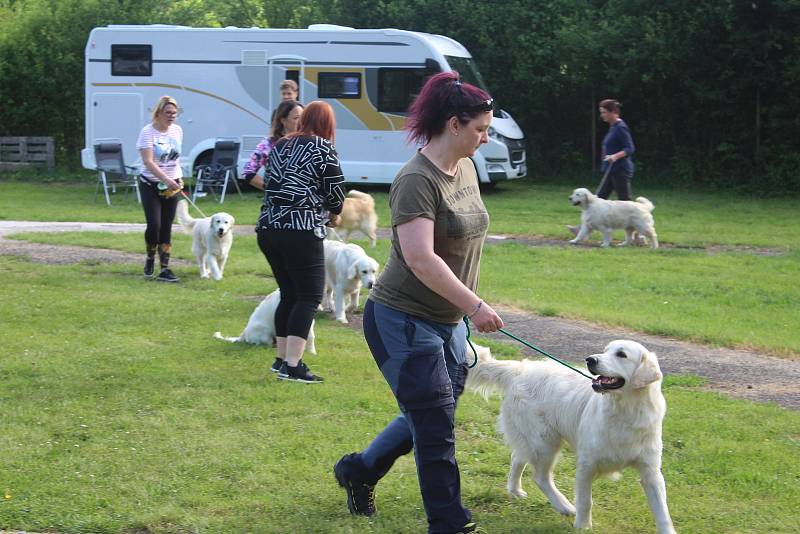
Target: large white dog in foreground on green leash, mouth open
pixel 612 422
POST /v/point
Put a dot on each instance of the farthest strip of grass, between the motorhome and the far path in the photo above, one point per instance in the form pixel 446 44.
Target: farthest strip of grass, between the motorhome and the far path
pixel 524 207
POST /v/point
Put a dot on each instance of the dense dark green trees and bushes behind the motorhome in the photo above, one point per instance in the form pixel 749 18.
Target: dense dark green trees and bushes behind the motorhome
pixel 709 88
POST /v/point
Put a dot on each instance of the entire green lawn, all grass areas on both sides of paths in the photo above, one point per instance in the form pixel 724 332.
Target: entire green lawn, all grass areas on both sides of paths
pixel 120 412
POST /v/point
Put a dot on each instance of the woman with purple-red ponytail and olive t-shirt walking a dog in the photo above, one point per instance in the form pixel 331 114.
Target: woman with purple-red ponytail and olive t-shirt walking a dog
pixel 413 317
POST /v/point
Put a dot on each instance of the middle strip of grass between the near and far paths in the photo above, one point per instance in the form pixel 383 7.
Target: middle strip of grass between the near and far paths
pixel 732 299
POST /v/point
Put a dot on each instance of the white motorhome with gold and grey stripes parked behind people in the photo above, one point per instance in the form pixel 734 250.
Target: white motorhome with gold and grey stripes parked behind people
pixel 226 83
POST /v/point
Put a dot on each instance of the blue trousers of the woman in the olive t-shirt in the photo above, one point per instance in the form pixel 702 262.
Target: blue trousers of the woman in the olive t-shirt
pixel 424 363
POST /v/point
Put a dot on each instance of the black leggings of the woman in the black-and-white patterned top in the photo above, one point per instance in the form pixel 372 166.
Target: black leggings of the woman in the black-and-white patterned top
pixel 297 259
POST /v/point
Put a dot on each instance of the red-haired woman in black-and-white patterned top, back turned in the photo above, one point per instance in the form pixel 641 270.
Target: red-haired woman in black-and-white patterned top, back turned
pixel 303 193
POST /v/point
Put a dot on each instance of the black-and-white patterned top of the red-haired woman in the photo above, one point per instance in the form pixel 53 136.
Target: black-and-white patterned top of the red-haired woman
pixel 304 185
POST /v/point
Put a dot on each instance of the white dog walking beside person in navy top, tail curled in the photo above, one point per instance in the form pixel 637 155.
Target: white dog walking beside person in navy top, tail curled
pixel 608 215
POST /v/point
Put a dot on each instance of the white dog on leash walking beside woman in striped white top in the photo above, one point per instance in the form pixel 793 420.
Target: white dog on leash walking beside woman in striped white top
pixel 212 238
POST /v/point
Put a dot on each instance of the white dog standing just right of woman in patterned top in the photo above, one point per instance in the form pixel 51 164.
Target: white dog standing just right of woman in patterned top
pixel 347 268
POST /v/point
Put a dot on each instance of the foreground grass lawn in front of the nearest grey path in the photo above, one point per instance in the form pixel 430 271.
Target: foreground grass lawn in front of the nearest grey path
pixel 121 414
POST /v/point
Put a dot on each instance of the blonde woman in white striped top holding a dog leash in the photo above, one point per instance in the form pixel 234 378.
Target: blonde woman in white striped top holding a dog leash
pixel 160 147
